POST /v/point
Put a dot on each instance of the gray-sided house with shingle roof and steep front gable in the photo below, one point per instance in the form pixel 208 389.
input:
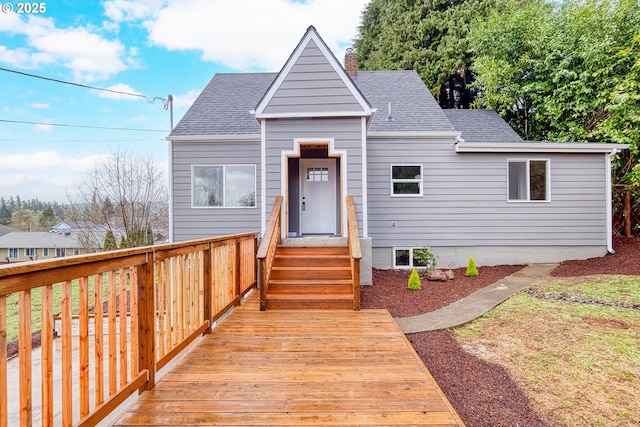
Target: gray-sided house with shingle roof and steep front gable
pixel 462 182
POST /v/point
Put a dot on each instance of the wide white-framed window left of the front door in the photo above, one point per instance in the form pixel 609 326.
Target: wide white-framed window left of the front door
pixel 223 186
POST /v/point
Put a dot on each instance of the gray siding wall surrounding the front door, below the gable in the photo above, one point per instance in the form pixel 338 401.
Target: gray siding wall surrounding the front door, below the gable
pixel 346 134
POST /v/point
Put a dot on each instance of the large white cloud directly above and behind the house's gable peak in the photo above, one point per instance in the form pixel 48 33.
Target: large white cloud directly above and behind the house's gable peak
pixel 241 34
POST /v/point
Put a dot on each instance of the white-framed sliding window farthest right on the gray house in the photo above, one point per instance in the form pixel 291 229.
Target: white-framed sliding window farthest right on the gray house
pixel 528 180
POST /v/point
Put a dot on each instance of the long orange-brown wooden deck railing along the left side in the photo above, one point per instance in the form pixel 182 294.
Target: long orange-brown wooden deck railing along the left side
pixel 135 310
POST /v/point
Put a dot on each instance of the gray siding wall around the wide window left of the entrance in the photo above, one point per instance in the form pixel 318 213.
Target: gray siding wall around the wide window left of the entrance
pixel 194 223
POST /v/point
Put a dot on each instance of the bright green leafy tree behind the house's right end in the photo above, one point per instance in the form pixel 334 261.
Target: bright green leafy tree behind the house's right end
pixel 567 71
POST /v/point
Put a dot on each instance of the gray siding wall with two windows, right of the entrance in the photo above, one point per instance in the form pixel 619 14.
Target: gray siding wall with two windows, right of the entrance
pixel 464 202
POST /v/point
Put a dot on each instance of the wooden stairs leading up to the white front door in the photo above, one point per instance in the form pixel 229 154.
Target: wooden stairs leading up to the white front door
pixel 311 277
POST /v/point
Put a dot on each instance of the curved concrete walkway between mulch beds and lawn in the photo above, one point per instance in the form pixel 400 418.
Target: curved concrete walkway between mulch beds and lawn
pixel 476 304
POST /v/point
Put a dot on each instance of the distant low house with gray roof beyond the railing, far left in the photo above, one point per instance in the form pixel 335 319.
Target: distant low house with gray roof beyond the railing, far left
pixel 20 246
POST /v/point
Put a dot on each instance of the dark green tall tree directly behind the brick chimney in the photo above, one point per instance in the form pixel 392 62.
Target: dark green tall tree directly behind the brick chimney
pixel 429 36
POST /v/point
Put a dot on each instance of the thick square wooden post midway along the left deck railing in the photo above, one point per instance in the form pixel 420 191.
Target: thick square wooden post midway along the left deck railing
pixel 146 323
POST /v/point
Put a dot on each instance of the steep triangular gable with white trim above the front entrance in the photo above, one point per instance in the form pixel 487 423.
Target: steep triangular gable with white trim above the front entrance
pixel 312 83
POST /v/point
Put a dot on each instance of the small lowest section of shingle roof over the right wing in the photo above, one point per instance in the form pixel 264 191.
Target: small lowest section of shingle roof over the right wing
pixel 482 126
